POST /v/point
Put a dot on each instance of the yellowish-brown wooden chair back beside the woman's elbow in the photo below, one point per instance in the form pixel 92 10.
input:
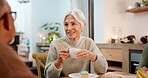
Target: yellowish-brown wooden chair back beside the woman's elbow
pixel 38 57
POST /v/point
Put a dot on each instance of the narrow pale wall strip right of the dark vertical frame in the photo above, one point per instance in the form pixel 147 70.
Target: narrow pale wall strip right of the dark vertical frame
pixel 98 21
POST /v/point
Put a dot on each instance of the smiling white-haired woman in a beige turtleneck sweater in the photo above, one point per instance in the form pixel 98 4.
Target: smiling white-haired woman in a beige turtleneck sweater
pixel 88 58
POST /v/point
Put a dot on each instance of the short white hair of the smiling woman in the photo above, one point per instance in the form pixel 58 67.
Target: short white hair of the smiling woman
pixel 78 15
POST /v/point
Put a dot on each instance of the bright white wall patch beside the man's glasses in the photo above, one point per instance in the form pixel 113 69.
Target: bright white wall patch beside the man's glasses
pixel 23 14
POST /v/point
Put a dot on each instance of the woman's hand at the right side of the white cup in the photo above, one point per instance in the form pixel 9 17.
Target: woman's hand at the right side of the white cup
pixel 86 54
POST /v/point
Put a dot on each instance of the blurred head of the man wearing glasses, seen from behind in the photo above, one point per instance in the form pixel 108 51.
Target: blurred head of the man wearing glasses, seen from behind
pixel 7 30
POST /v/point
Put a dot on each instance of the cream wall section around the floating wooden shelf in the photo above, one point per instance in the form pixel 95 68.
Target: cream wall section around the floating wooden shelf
pixel 136 22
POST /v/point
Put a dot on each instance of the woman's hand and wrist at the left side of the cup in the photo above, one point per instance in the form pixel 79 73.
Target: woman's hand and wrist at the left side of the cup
pixel 62 56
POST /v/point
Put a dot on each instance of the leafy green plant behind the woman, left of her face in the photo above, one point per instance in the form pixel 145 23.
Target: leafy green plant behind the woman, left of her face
pixel 53 30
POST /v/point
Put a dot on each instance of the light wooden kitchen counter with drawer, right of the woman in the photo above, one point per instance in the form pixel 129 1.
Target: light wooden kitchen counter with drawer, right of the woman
pixel 119 53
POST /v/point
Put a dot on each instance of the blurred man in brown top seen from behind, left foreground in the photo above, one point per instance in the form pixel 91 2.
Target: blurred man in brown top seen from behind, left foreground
pixel 10 64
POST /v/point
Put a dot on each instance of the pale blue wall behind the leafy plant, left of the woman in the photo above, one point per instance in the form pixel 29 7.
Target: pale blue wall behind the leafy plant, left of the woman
pixel 44 12
